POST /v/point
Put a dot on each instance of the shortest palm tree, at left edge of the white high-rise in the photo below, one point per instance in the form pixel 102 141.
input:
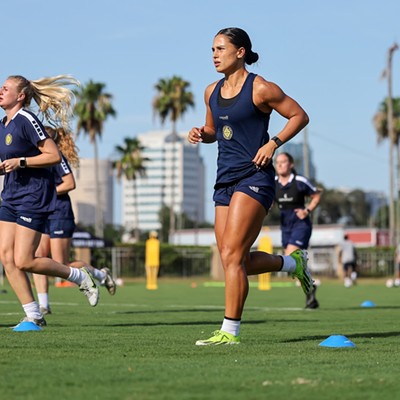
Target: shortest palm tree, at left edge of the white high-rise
pixel 131 165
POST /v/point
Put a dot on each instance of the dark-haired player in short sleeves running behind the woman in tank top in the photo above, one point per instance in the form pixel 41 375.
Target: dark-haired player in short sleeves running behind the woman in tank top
pixel 296 226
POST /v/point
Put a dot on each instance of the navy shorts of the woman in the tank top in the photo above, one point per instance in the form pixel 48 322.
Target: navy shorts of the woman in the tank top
pixel 259 186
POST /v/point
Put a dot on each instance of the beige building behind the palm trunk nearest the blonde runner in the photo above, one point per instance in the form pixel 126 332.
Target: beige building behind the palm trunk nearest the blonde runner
pixel 84 199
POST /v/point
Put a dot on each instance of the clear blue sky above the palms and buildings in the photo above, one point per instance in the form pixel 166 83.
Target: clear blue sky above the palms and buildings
pixel 329 56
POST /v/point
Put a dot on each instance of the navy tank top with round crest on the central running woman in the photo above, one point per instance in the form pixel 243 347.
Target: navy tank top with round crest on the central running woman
pixel 241 129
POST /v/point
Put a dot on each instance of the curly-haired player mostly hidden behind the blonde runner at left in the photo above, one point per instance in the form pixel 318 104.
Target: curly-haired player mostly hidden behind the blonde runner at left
pixel 61 222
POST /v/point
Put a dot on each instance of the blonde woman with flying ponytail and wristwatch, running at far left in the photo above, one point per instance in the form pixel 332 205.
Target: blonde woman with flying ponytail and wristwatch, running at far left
pixel 29 194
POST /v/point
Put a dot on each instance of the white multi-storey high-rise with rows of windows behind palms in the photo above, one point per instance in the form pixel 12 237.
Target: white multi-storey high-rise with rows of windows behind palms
pixel 175 175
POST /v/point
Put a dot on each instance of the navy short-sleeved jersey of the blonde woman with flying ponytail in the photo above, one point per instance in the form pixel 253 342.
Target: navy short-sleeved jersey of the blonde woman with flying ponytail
pixel 25 189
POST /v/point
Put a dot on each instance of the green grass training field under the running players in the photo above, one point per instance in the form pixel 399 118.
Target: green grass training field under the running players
pixel 139 344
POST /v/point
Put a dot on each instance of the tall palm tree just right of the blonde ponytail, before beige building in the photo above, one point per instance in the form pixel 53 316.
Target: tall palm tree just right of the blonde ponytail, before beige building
pixel 93 107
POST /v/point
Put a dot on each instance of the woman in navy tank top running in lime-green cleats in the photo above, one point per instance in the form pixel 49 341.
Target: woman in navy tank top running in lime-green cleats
pixel 238 108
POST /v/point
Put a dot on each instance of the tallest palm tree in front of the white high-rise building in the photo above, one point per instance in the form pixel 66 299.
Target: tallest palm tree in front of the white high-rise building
pixel 172 100
